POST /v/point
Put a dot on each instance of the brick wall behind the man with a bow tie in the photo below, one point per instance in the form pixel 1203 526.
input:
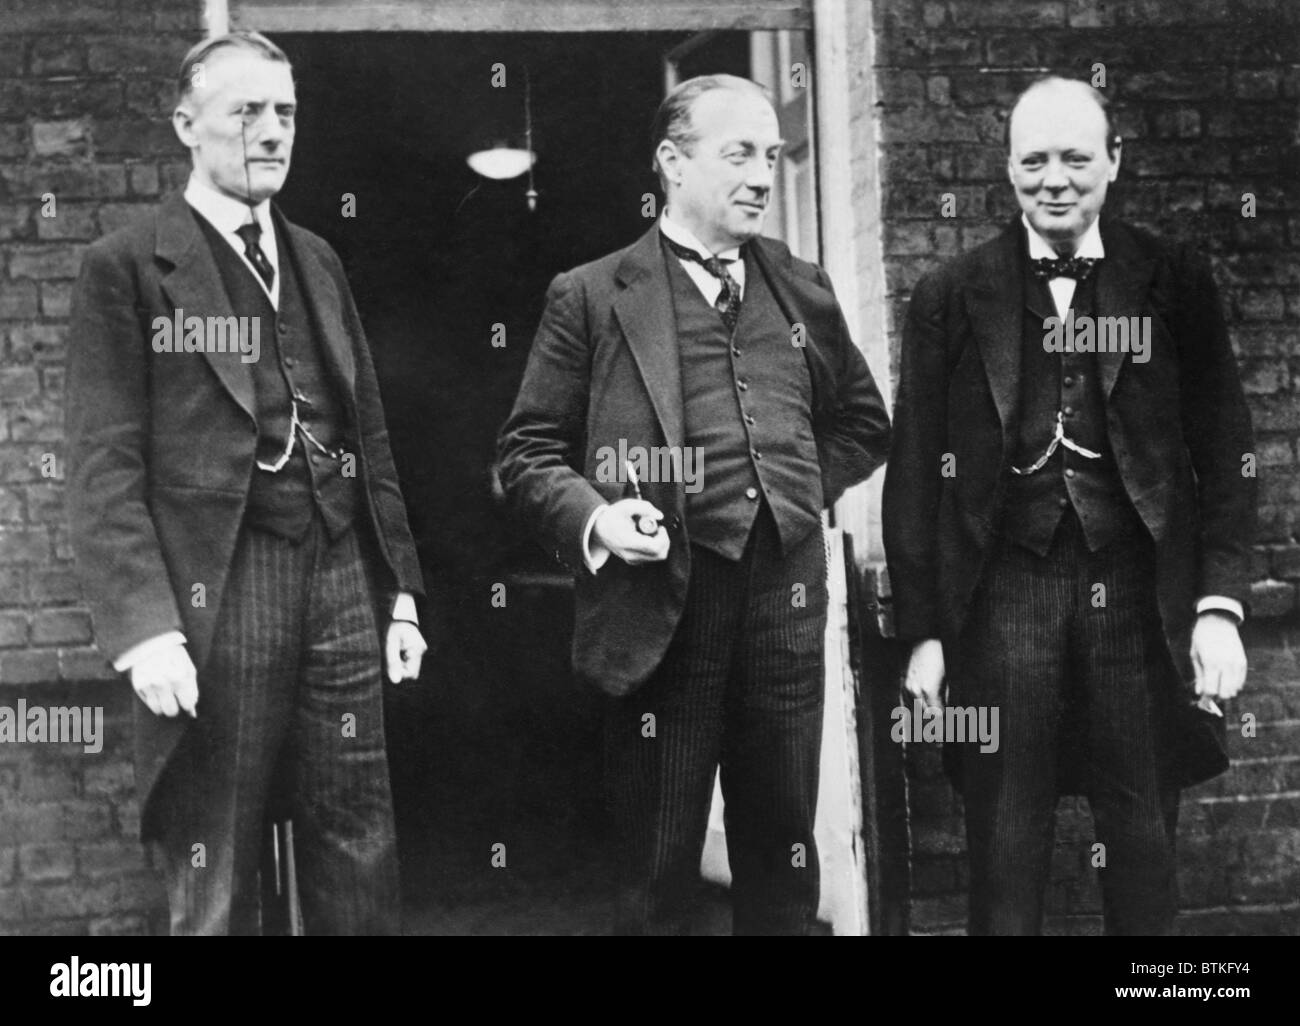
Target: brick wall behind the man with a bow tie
pixel 1204 96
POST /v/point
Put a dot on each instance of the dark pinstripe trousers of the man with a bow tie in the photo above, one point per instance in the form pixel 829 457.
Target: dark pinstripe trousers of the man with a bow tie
pixel 1071 642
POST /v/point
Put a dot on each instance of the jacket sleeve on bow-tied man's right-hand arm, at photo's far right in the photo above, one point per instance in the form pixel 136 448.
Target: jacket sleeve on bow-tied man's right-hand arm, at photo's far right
pixel 1216 423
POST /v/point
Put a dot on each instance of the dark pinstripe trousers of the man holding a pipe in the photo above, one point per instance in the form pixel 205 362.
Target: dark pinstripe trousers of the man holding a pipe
pixel 740 689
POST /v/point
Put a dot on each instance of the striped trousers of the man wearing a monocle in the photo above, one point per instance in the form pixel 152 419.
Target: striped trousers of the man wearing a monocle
pixel 291 703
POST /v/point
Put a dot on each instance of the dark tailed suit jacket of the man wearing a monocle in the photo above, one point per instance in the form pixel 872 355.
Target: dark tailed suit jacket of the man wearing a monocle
pixel 162 447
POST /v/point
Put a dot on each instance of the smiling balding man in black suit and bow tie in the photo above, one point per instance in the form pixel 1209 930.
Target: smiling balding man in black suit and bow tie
pixel 1068 520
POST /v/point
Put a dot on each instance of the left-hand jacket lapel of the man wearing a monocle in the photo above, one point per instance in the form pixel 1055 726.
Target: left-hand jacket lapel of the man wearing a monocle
pixel 194 285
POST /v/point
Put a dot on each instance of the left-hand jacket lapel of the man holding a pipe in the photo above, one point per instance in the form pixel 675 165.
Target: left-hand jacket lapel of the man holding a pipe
pixel 645 314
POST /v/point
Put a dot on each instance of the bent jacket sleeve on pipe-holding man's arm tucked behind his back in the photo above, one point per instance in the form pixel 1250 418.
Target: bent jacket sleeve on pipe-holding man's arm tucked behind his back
pixel 857 440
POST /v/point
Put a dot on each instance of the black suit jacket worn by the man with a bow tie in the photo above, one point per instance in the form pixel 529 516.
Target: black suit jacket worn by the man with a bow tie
pixel 1178 427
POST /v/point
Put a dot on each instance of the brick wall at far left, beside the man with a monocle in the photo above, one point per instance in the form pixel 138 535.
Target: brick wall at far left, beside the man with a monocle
pixel 85 96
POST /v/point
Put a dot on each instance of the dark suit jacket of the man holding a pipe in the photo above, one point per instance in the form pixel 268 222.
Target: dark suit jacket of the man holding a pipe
pixel 604 369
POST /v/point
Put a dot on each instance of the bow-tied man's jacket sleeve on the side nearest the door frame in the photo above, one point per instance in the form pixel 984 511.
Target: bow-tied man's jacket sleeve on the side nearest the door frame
pixel 913 482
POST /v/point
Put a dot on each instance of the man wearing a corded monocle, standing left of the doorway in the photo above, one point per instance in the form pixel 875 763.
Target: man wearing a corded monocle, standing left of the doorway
pixel 237 520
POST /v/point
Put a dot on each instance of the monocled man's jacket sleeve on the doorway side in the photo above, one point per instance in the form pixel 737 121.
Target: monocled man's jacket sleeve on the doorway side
pixel 380 470
